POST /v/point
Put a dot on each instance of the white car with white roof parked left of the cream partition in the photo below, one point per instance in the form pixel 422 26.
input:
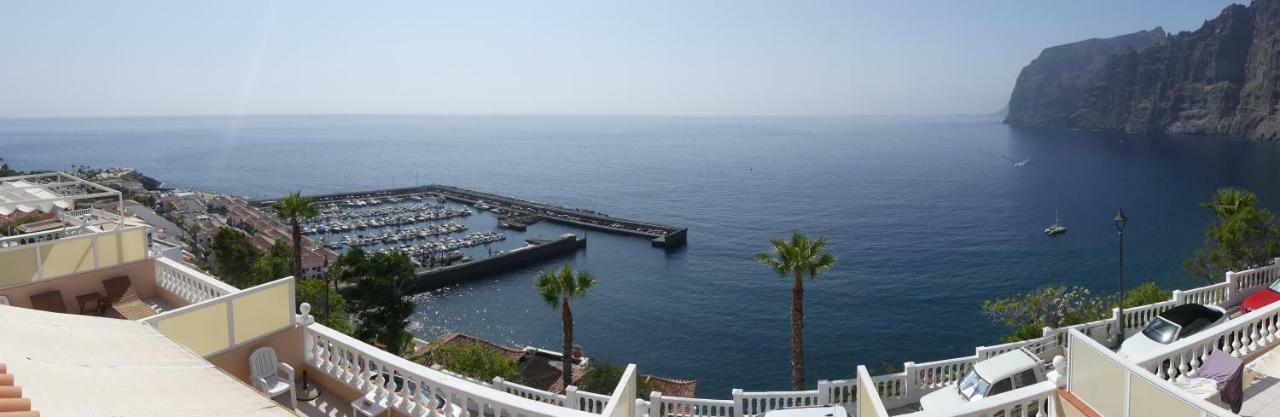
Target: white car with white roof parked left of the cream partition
pixel 998 375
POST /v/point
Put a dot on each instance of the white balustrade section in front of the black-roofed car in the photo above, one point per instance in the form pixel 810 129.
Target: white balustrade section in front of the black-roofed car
pixel 1240 337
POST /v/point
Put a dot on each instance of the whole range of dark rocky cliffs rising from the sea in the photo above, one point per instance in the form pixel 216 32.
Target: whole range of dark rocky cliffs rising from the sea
pixel 1223 79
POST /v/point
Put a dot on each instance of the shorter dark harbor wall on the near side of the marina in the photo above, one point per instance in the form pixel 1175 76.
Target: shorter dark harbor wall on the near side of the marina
pixel 461 273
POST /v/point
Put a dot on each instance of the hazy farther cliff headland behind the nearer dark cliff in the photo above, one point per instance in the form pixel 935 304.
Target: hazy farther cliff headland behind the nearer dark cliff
pixel 1050 90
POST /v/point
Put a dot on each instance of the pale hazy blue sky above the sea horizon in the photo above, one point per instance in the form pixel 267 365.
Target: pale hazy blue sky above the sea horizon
pixel 696 58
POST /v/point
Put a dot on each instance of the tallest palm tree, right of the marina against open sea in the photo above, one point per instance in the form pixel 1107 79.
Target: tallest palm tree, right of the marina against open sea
pixel 798 258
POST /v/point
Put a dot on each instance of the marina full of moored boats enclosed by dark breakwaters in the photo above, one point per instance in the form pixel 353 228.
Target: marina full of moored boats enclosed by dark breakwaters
pixel 449 233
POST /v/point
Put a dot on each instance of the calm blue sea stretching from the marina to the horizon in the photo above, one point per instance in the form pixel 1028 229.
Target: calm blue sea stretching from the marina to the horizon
pixel 929 216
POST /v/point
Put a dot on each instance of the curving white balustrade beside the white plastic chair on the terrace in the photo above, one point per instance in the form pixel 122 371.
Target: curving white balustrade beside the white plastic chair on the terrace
pixel 414 389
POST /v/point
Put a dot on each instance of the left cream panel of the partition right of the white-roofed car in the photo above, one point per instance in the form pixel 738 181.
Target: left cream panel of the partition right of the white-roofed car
pixel 1096 381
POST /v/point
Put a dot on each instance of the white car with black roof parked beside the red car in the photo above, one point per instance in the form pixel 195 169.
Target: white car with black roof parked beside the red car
pixel 1172 326
